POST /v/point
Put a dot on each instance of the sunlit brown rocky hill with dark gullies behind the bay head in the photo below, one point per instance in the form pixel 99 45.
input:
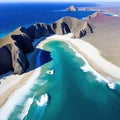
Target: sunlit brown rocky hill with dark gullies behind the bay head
pixel 69 24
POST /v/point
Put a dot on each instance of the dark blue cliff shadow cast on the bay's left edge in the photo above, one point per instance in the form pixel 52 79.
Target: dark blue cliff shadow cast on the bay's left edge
pixel 42 58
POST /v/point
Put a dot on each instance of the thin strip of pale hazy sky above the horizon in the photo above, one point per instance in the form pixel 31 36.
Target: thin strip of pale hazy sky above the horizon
pixel 59 0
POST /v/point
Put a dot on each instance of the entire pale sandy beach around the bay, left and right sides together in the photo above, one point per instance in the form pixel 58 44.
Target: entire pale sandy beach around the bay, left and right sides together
pixel 12 82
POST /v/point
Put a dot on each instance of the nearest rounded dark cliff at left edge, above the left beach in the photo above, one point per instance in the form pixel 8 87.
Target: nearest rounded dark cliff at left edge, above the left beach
pixel 15 61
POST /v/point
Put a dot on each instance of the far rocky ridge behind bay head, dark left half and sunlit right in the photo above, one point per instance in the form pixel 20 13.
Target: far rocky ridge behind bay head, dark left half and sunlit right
pixel 62 26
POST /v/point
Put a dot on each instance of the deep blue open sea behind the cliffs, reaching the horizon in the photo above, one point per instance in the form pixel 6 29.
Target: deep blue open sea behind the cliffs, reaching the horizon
pixel 13 15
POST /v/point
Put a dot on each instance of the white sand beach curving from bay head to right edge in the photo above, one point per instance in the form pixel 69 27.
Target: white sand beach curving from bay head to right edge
pixel 91 54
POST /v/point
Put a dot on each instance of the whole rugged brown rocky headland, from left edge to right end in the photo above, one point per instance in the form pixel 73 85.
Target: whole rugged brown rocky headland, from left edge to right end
pixel 18 43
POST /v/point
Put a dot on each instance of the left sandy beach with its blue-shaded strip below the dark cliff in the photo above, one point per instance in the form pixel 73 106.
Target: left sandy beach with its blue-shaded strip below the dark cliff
pixel 11 82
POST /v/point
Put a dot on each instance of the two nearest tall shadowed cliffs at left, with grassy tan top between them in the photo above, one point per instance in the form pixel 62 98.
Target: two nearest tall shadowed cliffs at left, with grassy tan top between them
pixel 12 53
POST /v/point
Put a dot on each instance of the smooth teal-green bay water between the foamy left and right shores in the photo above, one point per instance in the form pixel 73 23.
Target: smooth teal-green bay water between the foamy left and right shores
pixel 77 95
